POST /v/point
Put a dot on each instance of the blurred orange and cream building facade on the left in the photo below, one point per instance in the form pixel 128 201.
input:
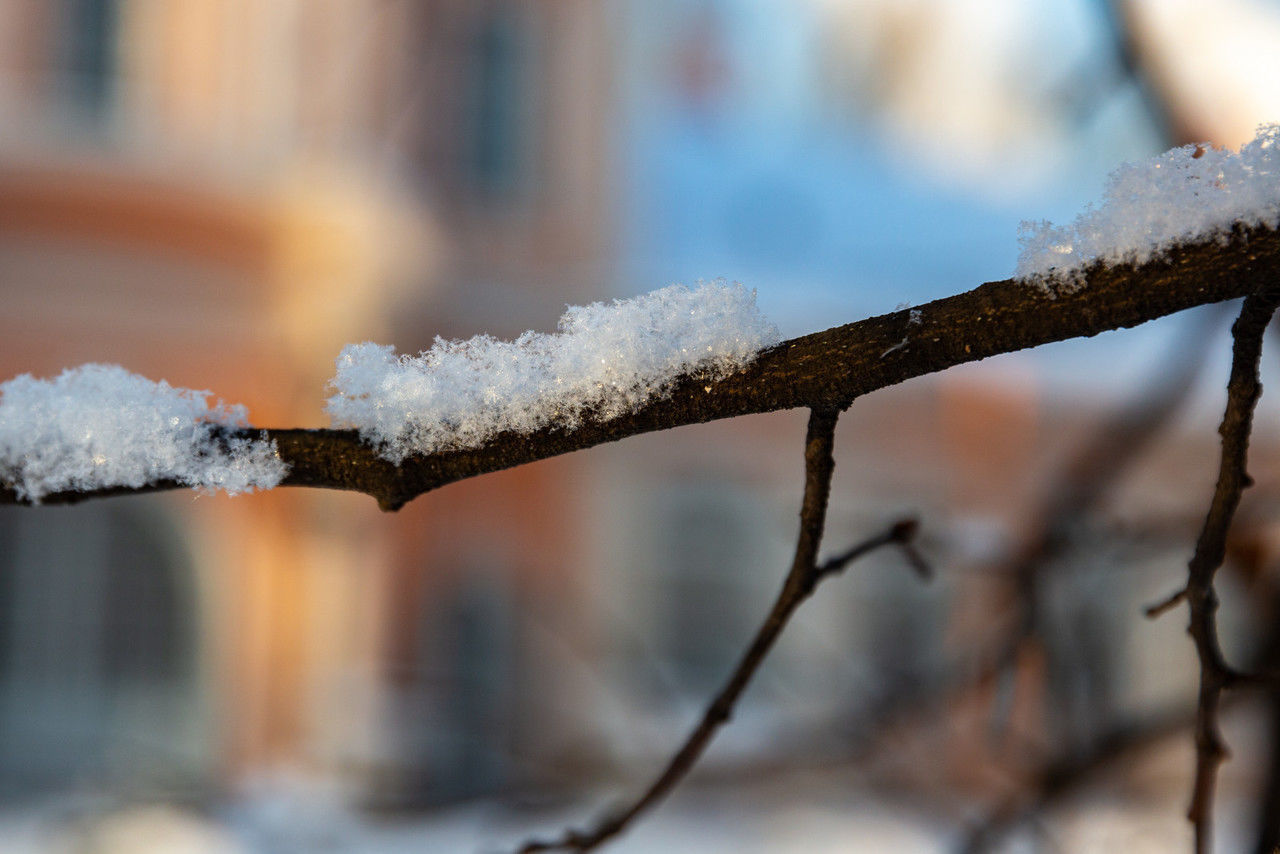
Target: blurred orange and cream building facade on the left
pixel 222 195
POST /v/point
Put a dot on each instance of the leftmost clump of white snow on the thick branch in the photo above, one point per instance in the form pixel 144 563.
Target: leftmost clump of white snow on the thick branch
pixel 99 426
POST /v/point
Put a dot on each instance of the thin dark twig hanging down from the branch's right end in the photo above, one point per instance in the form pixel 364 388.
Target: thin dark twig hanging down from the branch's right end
pixel 1244 391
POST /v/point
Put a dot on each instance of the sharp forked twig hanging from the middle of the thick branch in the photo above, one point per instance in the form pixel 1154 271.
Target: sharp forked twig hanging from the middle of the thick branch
pixel 802 581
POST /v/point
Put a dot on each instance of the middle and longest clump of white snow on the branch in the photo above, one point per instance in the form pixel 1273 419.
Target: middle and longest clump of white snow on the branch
pixel 606 360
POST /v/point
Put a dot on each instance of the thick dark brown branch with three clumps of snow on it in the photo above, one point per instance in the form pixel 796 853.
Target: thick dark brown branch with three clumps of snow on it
pixel 825 371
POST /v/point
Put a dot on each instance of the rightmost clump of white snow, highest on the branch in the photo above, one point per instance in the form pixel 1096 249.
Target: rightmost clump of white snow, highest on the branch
pixel 1190 194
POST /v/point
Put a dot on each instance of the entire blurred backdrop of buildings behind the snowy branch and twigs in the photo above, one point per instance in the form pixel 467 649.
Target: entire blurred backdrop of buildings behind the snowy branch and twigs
pixel 225 193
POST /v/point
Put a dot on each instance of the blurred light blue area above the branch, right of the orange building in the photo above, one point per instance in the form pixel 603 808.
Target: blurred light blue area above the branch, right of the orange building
pixel 767 180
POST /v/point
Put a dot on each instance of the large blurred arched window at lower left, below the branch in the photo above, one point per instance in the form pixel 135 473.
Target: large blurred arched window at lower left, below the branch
pixel 97 647
